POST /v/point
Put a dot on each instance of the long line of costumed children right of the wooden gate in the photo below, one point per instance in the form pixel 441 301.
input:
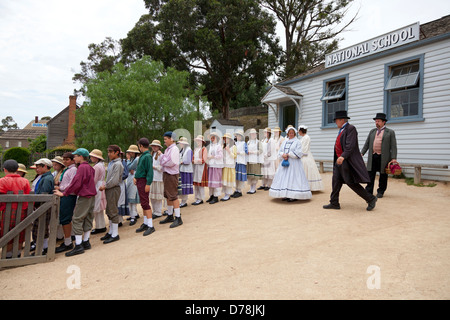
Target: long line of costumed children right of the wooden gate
pixel 226 164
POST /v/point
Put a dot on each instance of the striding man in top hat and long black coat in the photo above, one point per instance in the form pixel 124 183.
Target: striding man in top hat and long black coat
pixel 349 167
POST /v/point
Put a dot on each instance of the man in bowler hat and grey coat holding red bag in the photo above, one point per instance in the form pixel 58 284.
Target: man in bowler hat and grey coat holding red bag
pixel 382 146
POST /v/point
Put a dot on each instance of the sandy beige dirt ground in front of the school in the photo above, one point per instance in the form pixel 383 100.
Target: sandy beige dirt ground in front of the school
pixel 257 247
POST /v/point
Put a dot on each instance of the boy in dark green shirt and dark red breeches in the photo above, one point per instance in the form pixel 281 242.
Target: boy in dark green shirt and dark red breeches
pixel 143 180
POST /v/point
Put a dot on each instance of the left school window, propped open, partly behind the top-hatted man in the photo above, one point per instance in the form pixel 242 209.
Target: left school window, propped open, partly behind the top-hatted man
pixel 333 99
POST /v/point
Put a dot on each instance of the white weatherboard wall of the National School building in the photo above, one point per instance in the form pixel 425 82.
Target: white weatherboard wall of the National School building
pixel 425 142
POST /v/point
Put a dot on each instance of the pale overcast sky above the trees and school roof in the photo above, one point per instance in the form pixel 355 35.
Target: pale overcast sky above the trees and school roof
pixel 43 42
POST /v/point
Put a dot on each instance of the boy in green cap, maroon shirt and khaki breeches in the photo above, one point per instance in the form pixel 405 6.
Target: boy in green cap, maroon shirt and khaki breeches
pixel 83 186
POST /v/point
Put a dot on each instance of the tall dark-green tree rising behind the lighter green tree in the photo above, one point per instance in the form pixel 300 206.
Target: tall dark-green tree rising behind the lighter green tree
pixel 226 45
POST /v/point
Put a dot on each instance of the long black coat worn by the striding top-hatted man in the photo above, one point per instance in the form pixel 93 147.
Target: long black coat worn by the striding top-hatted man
pixel 353 169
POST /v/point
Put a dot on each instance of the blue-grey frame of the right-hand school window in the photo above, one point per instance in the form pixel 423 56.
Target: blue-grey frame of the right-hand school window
pixel 388 92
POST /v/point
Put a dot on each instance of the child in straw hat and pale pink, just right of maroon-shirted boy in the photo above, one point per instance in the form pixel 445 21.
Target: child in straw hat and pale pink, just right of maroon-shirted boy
pixel 100 198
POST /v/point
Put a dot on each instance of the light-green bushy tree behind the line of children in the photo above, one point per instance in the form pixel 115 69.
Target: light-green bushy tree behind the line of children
pixel 143 100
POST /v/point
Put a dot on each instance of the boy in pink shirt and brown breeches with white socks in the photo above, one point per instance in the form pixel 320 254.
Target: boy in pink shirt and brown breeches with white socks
pixel 170 162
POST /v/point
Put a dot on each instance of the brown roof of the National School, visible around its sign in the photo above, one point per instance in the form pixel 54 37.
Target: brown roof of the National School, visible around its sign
pixel 427 30
